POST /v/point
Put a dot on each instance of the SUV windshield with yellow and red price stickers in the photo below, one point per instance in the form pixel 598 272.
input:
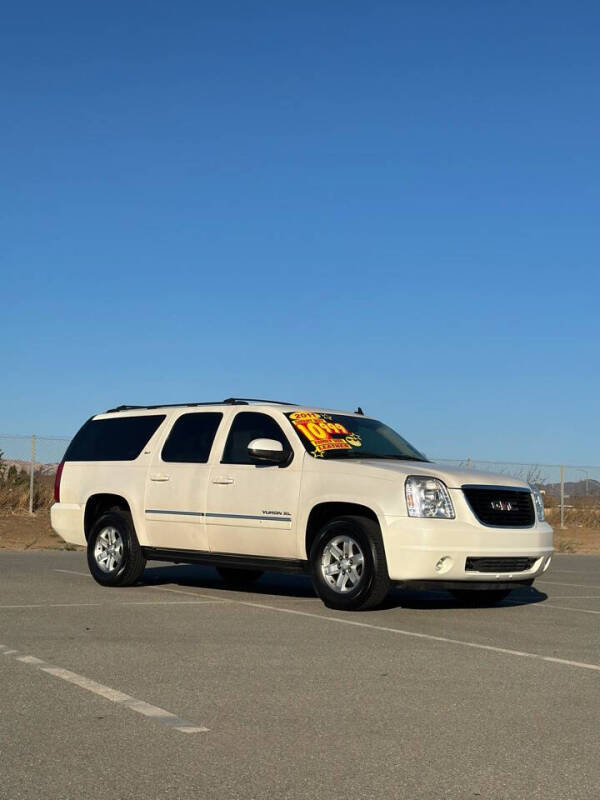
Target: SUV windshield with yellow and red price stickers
pixel 340 436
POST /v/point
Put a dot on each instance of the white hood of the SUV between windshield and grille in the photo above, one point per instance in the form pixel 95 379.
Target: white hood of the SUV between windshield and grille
pixel 453 477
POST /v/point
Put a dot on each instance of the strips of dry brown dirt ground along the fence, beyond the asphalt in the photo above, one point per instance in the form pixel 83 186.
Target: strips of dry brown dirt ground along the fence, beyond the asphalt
pixel 22 531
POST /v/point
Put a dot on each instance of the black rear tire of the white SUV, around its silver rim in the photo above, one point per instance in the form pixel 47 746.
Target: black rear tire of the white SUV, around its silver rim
pixel 131 564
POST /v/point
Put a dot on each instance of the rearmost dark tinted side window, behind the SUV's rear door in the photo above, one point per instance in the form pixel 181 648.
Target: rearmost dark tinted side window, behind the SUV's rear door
pixel 113 439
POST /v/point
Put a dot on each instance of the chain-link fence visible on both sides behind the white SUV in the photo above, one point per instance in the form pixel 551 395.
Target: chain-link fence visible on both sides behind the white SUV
pixel 571 493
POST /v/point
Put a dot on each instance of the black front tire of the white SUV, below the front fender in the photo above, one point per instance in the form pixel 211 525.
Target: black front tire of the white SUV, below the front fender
pixel 372 584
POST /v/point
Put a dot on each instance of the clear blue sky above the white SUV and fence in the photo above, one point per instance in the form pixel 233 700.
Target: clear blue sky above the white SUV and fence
pixel 389 204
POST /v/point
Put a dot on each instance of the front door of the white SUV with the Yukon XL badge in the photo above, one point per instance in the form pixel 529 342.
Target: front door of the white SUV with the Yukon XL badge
pixel 252 506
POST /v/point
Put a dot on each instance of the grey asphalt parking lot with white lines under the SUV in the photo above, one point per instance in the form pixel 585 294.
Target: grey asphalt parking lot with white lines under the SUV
pixel 182 688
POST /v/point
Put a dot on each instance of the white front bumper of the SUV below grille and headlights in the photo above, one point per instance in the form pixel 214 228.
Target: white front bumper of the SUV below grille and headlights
pixel 437 550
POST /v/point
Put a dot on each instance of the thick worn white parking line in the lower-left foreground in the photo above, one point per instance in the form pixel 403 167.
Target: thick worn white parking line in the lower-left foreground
pixel 140 706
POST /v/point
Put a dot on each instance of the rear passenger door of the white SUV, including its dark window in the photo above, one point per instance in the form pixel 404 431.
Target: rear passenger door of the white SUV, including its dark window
pixel 177 482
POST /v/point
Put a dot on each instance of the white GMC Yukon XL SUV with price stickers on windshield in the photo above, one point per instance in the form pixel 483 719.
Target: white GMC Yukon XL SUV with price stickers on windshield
pixel 252 486
